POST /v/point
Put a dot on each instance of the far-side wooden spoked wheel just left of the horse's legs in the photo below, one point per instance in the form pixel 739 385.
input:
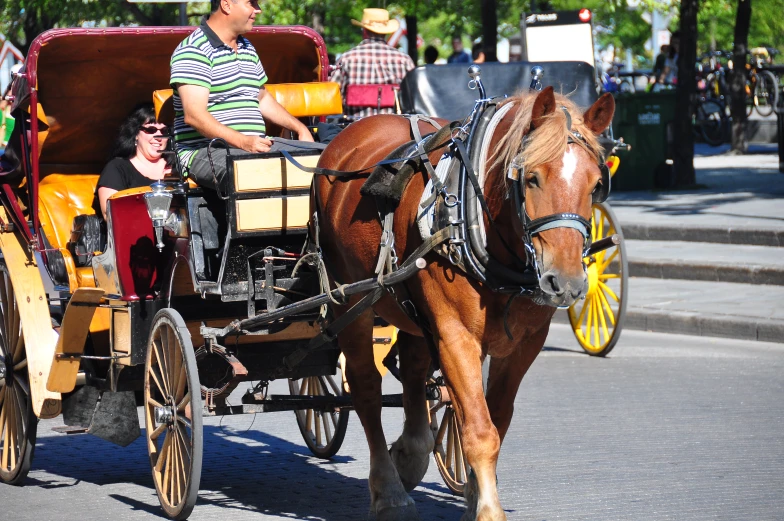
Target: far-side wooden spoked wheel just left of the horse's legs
pixel 323 431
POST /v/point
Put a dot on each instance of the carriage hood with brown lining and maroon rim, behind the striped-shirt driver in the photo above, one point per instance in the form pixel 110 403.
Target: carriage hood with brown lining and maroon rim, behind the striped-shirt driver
pixel 89 81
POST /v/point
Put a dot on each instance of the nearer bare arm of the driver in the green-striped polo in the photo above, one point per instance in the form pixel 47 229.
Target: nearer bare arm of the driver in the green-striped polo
pixel 194 103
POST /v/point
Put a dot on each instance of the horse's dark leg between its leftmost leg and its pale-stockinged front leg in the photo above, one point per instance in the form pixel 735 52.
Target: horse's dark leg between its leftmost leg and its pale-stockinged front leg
pixel 411 451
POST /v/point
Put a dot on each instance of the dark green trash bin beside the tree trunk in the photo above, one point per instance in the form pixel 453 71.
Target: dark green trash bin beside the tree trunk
pixel 644 121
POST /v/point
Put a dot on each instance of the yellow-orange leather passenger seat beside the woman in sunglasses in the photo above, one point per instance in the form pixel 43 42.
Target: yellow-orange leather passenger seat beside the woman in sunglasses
pixel 63 197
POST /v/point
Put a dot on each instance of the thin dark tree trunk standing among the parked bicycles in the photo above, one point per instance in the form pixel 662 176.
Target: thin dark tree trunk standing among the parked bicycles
pixel 738 78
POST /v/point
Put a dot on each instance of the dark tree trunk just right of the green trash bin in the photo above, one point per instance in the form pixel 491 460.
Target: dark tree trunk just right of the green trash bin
pixel 686 95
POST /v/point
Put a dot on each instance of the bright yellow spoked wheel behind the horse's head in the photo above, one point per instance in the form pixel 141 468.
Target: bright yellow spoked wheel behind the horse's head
pixel 597 321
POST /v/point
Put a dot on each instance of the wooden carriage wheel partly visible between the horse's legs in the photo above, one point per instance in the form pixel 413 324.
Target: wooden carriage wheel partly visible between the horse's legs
pixel 448 449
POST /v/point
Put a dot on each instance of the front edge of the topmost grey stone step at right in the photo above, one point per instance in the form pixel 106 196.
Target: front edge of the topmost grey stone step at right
pixel 714 234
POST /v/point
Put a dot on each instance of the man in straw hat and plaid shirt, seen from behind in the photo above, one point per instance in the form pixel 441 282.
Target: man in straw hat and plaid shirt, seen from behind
pixel 370 73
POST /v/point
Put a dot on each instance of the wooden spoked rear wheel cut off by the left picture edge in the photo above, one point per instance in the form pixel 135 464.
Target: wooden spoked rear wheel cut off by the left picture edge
pixel 18 423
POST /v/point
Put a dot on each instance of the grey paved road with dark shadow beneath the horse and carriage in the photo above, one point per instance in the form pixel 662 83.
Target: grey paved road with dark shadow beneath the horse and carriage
pixel 669 427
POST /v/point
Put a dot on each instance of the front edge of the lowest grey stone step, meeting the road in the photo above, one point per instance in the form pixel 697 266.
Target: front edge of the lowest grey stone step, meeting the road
pixel 699 324
